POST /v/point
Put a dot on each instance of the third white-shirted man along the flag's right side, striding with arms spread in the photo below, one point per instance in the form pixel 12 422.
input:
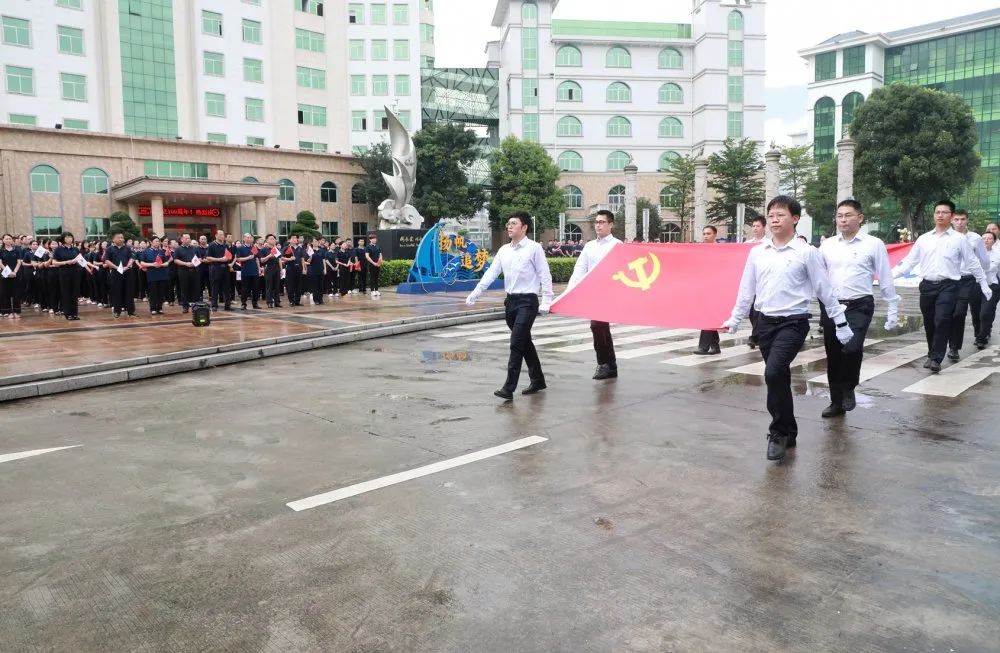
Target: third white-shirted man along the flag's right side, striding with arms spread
pixel 941 254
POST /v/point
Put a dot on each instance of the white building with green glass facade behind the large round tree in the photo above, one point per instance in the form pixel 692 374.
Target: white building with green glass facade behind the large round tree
pixel 960 55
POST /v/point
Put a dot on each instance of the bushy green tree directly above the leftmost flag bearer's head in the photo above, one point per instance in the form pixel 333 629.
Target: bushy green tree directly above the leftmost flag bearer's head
pixel 524 179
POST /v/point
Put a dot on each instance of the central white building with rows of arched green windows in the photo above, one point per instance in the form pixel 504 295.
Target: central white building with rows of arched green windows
pixel 598 94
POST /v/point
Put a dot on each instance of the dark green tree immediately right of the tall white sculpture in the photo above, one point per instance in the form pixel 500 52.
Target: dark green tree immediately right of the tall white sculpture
pixel 444 152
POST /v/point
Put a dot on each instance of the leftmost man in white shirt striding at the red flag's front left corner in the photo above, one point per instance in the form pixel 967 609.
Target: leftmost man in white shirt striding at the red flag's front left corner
pixel 524 269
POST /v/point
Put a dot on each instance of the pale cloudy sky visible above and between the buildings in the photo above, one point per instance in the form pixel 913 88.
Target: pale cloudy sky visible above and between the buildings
pixel 463 28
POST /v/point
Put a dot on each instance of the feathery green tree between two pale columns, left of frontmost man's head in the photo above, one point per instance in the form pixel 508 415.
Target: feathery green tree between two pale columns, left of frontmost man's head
pixel 735 174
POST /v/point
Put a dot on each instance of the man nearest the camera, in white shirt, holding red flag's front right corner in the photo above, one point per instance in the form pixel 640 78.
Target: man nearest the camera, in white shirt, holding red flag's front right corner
pixel 780 279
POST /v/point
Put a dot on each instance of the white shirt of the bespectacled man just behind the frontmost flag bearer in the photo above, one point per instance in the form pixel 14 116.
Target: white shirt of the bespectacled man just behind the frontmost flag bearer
pixel 852 264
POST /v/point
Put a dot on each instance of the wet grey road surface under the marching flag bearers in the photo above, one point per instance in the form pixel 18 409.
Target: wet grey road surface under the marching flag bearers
pixel 648 520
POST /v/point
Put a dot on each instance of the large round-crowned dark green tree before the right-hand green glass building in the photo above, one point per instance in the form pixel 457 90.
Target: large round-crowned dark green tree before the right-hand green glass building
pixel 914 144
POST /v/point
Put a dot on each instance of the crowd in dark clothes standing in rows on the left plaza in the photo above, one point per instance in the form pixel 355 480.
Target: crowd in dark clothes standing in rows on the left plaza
pixel 56 276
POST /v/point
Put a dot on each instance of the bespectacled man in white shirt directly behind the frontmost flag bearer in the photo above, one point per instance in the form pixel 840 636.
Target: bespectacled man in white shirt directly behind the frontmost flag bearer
pixel 853 259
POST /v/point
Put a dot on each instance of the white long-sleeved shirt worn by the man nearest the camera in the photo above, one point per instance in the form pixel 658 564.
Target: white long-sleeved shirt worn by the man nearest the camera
pixel 781 281
